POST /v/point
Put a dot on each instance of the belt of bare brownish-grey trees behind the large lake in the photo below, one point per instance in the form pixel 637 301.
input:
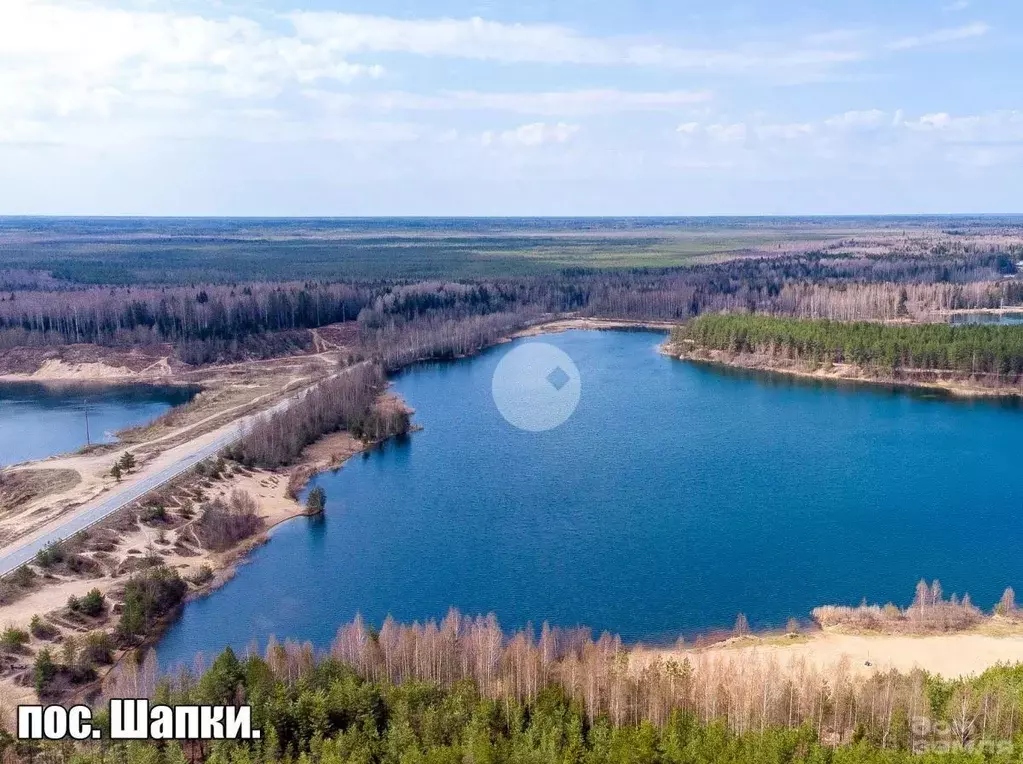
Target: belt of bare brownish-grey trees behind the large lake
pixel 401 321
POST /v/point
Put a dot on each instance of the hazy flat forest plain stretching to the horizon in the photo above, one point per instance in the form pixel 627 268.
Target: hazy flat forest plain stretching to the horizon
pixel 127 252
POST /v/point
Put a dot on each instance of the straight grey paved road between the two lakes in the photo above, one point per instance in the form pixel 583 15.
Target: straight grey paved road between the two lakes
pixel 128 495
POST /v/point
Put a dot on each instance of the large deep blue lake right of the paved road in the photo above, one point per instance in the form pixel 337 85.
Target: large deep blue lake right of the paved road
pixel 676 498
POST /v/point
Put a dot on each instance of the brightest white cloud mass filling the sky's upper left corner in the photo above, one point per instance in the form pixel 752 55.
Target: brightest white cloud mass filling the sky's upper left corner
pixel 61 60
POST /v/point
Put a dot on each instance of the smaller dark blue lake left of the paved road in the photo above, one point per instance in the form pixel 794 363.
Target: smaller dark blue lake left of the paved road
pixel 37 421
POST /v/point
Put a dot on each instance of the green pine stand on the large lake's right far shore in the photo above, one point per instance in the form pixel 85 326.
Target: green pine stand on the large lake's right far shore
pixel 968 349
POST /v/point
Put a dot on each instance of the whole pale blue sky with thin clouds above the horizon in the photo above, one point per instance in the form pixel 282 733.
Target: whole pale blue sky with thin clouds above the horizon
pixel 353 108
